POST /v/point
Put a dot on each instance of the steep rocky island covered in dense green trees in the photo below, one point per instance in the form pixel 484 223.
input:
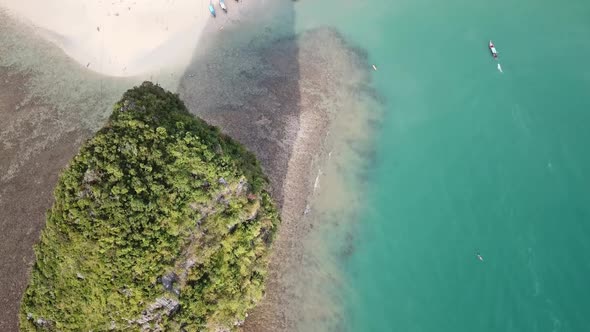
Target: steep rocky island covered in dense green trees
pixel 160 223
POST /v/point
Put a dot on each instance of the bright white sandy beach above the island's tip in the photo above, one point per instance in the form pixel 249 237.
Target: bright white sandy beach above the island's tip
pixel 118 37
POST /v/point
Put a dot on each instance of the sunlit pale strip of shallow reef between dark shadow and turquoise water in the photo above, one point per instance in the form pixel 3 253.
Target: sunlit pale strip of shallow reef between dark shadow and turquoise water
pixel 322 189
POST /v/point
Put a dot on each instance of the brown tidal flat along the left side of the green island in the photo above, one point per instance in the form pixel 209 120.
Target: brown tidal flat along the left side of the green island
pixel 34 149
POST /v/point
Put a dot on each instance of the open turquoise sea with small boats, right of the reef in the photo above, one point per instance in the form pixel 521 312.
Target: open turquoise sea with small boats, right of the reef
pixel 470 159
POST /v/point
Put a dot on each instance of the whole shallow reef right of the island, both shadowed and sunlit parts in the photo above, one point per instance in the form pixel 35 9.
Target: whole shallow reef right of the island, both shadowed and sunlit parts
pixel 293 101
